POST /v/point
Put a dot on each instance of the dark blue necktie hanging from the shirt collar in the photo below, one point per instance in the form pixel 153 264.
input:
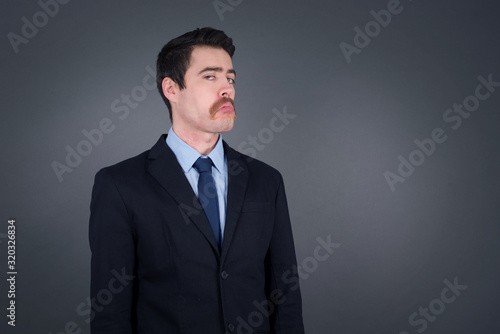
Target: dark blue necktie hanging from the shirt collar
pixel 207 194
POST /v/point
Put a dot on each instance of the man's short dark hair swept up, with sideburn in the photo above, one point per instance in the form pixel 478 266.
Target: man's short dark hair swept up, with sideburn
pixel 173 59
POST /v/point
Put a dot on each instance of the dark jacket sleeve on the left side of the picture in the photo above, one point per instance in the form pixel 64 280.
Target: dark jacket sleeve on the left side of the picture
pixel 111 238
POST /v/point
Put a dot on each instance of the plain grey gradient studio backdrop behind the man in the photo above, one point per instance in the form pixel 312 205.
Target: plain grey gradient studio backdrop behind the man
pixel 353 121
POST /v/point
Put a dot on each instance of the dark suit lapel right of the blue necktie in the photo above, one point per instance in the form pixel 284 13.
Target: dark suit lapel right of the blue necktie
pixel 237 183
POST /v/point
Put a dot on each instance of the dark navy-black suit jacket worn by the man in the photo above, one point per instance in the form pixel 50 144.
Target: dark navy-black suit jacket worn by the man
pixel 156 267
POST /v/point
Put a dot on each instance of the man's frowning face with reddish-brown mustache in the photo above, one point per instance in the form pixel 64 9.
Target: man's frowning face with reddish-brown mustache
pixel 206 104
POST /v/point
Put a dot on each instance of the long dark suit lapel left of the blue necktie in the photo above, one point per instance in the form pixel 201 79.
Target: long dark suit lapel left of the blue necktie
pixel 163 166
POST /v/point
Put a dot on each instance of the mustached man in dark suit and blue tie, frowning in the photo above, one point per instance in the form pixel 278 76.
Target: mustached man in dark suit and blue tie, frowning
pixel 192 236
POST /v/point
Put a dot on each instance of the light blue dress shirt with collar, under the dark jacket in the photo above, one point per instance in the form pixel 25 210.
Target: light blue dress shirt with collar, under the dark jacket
pixel 186 156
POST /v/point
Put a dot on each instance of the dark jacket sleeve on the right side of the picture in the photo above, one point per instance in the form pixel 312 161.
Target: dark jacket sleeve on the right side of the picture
pixel 283 285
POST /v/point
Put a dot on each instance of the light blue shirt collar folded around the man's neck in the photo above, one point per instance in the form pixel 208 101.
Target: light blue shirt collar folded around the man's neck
pixel 187 156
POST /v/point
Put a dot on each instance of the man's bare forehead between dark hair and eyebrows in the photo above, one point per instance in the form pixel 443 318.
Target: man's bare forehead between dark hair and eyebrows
pixel 206 56
